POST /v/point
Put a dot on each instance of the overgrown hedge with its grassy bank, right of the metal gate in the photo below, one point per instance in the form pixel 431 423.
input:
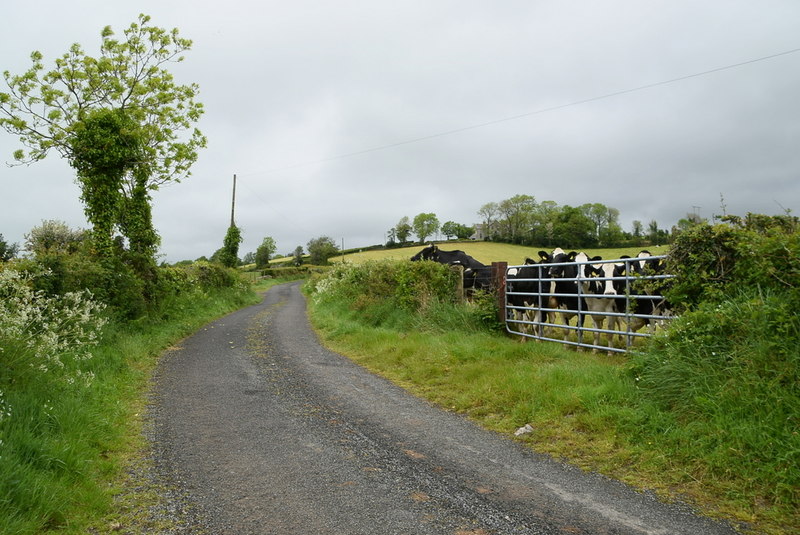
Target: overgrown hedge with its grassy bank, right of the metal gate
pixel 727 371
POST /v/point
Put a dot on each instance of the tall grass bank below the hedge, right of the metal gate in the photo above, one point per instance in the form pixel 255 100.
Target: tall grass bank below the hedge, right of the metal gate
pixel 728 376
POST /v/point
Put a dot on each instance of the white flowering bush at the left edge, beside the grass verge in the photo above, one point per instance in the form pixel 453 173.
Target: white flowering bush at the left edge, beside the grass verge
pixel 45 336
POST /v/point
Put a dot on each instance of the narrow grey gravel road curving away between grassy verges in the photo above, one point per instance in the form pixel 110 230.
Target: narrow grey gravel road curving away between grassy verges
pixel 261 430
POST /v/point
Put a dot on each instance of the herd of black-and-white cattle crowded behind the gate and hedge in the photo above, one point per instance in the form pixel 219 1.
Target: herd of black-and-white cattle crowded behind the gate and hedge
pixel 621 296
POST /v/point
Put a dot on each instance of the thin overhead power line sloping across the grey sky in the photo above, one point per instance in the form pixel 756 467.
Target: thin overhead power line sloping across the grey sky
pixel 528 114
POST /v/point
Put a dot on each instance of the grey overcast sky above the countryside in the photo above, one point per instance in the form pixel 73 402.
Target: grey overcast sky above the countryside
pixel 298 94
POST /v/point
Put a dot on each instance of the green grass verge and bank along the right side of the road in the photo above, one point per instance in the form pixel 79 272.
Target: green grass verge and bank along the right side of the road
pixel 681 419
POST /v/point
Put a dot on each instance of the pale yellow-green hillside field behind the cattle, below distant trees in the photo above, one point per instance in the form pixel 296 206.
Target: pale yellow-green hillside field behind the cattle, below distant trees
pixel 487 252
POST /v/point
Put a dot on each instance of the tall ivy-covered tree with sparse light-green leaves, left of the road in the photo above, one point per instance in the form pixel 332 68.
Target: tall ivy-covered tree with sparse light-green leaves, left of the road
pixel 119 119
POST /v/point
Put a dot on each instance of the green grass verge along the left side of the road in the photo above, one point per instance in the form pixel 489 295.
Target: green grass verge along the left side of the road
pixel 67 456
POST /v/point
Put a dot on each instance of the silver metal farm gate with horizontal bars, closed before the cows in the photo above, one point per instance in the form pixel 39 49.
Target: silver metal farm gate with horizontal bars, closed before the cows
pixel 537 313
